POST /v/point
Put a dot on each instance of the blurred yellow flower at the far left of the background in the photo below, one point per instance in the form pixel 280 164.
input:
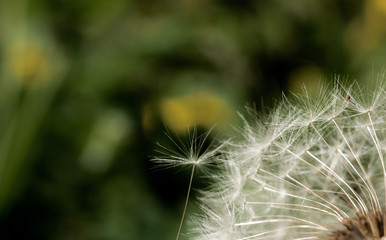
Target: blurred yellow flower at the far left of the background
pixel 29 63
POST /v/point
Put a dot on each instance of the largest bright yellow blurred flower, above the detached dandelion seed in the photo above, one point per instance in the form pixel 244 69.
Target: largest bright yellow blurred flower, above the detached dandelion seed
pixel 201 109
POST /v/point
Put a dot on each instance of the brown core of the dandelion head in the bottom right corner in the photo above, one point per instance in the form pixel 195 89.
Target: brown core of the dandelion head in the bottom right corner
pixel 364 227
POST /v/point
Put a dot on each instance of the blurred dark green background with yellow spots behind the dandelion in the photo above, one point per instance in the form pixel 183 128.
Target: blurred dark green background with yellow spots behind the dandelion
pixel 88 87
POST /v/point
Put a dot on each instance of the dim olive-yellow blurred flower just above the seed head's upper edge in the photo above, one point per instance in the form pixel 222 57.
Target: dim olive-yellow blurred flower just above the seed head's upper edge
pixel 307 77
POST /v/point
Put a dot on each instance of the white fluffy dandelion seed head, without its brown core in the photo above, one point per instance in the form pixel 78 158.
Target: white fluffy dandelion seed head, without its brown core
pixel 298 172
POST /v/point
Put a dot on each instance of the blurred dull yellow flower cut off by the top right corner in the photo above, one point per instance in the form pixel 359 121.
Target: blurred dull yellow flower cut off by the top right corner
pixel 365 33
